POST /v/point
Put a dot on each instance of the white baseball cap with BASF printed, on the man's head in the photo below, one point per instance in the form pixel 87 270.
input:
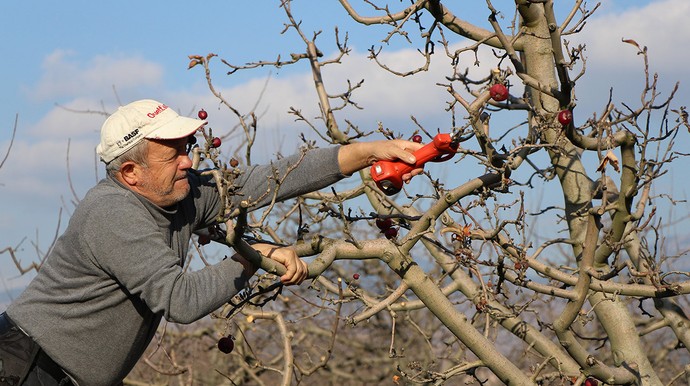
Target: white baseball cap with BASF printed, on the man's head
pixel 138 120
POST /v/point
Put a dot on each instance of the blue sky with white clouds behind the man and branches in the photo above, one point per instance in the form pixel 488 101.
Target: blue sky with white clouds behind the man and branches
pixel 88 55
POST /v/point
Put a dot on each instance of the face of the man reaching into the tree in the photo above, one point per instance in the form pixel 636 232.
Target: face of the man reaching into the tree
pixel 164 180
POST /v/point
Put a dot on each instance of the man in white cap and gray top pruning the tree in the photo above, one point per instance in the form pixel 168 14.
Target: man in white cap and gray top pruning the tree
pixel 97 300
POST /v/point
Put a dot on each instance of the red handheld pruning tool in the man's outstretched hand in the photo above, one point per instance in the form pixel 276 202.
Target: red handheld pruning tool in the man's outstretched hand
pixel 388 174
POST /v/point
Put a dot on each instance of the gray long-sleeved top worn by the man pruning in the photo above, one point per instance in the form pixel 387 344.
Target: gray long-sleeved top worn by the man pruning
pixel 99 297
